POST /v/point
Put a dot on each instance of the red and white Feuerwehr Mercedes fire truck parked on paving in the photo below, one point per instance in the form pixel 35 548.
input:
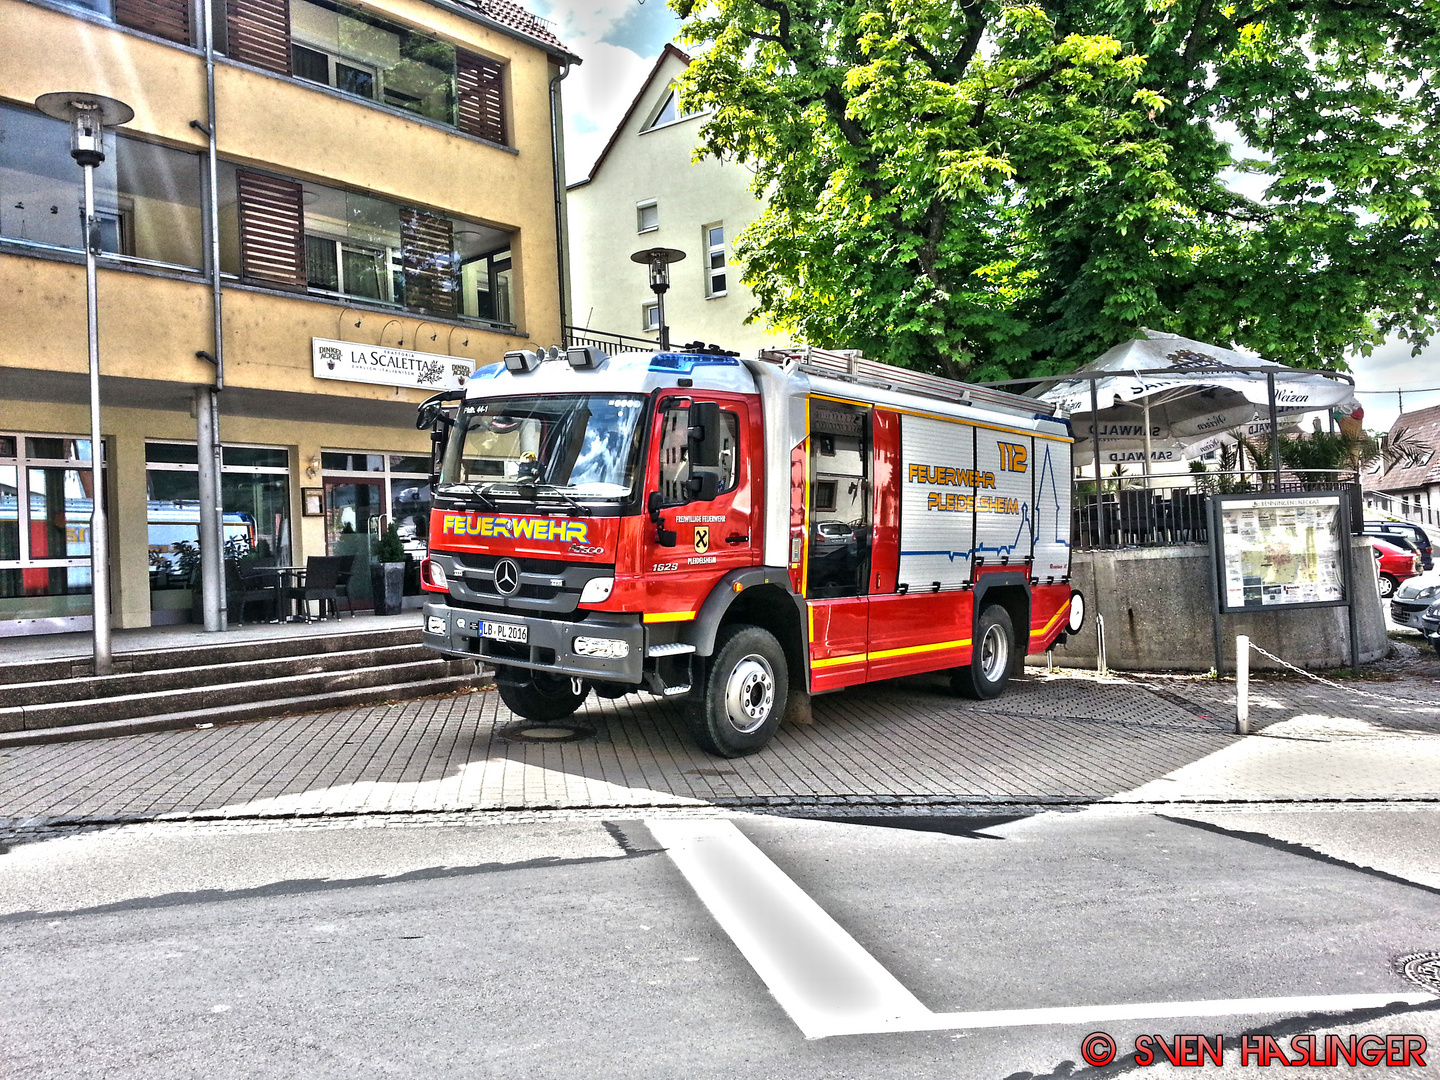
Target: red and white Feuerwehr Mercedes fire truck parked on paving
pixel 741 534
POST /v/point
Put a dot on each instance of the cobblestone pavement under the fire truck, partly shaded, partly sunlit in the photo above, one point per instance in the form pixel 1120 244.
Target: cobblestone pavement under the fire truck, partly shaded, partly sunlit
pixel 1053 738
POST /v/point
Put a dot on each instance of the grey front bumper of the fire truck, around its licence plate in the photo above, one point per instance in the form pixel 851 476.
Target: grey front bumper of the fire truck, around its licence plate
pixel 549 646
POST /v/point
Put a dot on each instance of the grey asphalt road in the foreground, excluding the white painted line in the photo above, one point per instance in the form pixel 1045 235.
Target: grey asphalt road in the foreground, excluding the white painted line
pixel 580 950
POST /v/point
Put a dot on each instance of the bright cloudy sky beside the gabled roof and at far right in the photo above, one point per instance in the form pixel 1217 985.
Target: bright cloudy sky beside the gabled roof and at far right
pixel 620 40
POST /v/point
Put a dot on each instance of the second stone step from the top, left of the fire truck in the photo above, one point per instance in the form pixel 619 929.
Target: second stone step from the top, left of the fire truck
pixel 91 688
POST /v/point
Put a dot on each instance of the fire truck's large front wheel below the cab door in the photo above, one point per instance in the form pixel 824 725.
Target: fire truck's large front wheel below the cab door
pixel 742 693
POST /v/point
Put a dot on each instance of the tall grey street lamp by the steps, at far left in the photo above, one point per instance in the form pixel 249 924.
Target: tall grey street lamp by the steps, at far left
pixel 89 116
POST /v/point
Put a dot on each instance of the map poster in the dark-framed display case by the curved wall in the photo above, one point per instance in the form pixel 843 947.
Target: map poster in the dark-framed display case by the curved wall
pixel 1281 551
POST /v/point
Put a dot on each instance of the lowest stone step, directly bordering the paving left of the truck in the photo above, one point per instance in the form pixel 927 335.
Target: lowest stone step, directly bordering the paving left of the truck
pixel 248 712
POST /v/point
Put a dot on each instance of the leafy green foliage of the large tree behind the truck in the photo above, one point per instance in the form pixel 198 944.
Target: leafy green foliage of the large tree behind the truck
pixel 1010 189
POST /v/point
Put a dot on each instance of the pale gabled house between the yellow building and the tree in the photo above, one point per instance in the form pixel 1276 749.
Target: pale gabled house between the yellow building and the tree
pixel 643 192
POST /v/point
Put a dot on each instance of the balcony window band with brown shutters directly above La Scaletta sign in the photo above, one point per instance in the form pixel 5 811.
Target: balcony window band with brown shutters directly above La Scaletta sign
pixel 302 237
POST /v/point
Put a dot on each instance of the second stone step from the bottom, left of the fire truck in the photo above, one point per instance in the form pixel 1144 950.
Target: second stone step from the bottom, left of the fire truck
pixel 225 696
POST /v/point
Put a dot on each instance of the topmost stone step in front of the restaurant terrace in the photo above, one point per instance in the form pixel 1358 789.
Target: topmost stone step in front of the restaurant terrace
pixel 220 653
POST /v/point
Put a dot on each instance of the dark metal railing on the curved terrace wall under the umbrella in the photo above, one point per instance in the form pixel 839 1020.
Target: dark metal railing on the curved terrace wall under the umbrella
pixel 1163 510
